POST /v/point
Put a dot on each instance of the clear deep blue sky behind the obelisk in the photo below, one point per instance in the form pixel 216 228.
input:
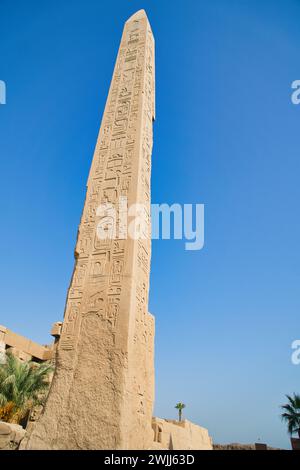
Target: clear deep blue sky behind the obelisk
pixel 226 135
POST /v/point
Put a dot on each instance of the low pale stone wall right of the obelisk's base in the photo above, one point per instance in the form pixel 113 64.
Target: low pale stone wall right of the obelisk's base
pixel 175 435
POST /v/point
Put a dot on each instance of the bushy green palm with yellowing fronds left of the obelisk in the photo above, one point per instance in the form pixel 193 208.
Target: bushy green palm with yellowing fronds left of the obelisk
pixel 22 385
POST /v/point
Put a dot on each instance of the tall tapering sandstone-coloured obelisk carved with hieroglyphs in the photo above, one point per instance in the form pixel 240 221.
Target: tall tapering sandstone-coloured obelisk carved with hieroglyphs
pixel 102 392
